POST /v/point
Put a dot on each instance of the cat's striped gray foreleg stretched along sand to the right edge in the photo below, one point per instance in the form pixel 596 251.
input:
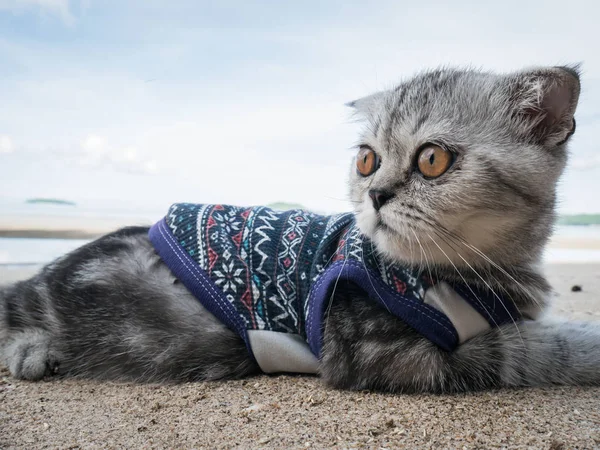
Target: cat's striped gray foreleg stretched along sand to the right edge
pixel 365 347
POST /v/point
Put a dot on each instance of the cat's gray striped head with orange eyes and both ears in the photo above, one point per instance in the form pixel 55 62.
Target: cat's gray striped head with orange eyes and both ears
pixel 458 166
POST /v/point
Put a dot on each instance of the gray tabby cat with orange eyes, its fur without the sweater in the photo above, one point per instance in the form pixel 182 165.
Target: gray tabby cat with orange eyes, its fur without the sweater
pixel 477 206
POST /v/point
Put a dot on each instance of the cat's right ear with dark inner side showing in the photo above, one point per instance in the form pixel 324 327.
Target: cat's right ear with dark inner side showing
pixel 546 100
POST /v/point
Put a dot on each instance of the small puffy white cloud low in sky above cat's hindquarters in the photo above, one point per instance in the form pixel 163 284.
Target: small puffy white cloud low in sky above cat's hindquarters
pixel 95 152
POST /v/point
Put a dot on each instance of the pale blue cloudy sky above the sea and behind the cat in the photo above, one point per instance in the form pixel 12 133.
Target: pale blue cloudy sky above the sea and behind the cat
pixel 143 103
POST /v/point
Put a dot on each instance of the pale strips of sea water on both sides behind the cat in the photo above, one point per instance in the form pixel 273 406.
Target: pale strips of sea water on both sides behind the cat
pixel 21 252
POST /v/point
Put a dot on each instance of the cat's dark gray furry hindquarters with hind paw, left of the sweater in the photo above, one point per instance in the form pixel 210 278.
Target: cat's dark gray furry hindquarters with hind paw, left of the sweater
pixel 112 310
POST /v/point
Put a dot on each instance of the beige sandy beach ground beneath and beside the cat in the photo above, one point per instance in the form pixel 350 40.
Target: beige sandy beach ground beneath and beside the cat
pixel 297 412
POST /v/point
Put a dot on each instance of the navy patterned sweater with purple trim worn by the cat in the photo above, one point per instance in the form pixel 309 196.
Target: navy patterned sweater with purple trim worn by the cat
pixel 269 275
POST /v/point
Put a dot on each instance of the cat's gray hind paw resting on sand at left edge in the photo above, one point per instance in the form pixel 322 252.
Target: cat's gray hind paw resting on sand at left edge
pixel 28 356
